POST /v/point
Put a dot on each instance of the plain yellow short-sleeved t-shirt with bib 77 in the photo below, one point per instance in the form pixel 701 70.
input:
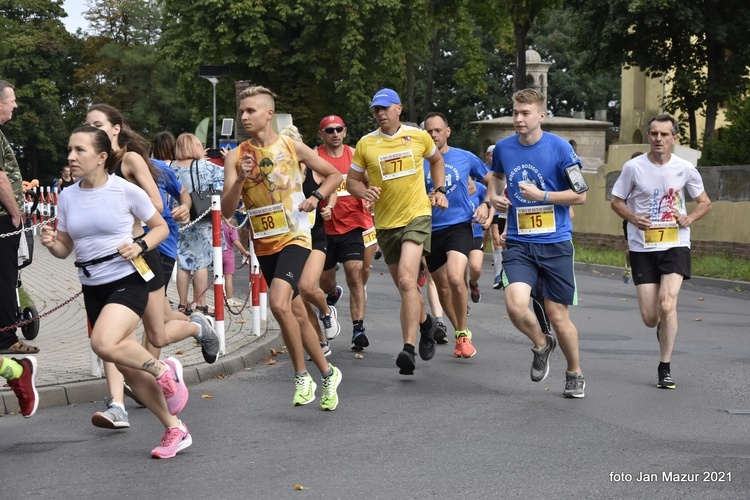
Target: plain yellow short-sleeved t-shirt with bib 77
pixel 395 164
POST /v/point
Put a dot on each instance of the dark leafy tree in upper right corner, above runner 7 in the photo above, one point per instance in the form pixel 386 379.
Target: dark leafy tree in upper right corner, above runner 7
pixel 704 44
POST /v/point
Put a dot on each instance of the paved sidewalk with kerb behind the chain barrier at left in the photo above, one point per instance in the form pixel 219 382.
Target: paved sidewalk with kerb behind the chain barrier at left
pixel 64 371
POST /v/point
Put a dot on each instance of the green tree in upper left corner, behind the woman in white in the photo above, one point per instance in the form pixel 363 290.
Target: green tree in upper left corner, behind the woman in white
pixel 36 57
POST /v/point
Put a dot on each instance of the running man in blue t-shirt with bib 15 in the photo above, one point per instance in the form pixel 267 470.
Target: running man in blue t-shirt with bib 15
pixel 544 178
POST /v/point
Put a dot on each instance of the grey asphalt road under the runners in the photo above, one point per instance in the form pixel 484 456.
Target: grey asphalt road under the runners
pixel 472 429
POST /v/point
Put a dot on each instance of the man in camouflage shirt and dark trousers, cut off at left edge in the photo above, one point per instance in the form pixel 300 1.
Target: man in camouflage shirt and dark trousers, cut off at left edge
pixel 11 207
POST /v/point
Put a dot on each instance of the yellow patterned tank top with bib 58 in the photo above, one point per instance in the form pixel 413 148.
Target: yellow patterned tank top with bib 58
pixel 271 193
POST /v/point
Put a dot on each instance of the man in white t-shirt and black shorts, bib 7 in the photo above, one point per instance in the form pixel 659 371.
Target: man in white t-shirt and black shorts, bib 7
pixel 655 187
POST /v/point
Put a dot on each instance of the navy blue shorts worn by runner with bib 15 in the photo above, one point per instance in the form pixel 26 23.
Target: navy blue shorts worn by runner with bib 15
pixel 552 263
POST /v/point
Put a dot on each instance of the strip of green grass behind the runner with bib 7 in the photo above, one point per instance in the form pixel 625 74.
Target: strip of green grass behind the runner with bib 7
pixel 721 266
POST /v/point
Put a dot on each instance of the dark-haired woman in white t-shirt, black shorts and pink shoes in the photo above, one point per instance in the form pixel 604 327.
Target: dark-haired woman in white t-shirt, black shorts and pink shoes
pixel 95 219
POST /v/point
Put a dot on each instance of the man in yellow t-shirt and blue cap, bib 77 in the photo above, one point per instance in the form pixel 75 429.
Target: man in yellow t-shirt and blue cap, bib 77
pixel 393 158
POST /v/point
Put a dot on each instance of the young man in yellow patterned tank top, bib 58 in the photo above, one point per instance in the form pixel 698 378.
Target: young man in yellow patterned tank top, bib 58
pixel 265 171
